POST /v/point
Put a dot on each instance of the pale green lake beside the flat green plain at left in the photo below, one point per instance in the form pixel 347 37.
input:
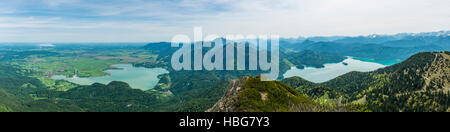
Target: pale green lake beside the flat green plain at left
pixel 136 77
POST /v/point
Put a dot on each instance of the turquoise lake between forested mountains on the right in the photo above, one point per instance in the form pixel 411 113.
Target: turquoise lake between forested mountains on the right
pixel 331 71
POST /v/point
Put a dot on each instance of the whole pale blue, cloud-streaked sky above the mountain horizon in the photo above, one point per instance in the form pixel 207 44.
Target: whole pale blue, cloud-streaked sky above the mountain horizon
pixel 160 20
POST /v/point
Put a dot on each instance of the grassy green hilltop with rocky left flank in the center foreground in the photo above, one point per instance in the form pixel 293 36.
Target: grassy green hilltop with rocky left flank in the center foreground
pixel 250 94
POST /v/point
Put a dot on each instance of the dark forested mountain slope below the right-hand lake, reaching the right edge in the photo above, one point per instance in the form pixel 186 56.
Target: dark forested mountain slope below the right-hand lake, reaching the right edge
pixel 420 83
